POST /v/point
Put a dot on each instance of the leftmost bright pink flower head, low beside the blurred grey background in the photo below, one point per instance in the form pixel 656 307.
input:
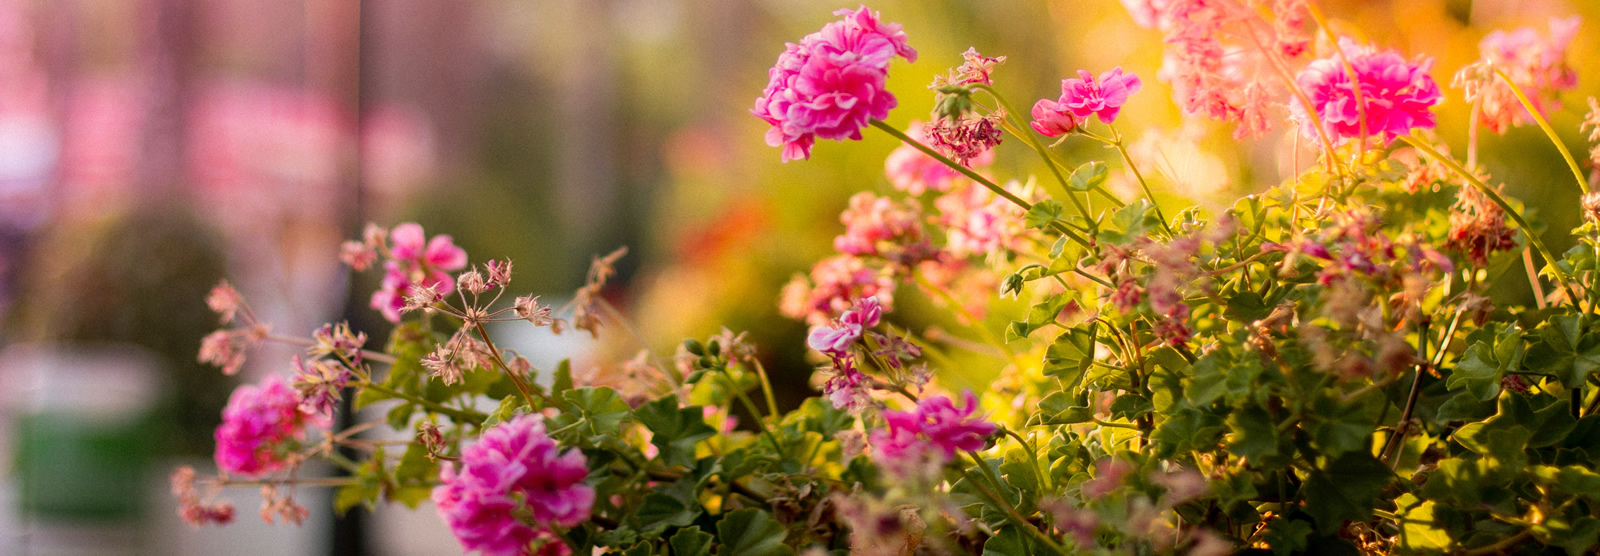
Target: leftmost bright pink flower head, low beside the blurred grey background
pixel 255 426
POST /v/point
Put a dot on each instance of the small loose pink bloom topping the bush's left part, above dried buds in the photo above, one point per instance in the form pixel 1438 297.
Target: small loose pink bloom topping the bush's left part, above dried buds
pixel 417 261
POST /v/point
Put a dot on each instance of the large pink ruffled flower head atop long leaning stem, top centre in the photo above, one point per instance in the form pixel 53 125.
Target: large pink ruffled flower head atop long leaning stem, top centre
pixel 831 84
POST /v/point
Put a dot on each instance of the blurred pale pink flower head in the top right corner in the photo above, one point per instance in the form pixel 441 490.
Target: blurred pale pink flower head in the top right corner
pixel 1537 65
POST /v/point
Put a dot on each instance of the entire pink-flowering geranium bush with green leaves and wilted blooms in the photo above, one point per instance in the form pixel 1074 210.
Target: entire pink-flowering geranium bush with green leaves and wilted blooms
pixel 1329 363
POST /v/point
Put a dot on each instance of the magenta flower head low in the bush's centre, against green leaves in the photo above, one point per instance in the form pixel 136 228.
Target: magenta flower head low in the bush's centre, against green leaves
pixel 930 435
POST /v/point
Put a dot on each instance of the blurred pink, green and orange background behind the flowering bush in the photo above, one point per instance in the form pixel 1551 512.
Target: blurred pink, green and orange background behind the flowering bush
pixel 153 148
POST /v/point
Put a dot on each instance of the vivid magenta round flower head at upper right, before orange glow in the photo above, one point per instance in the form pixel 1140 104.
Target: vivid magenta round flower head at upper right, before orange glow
pixel 1398 95
